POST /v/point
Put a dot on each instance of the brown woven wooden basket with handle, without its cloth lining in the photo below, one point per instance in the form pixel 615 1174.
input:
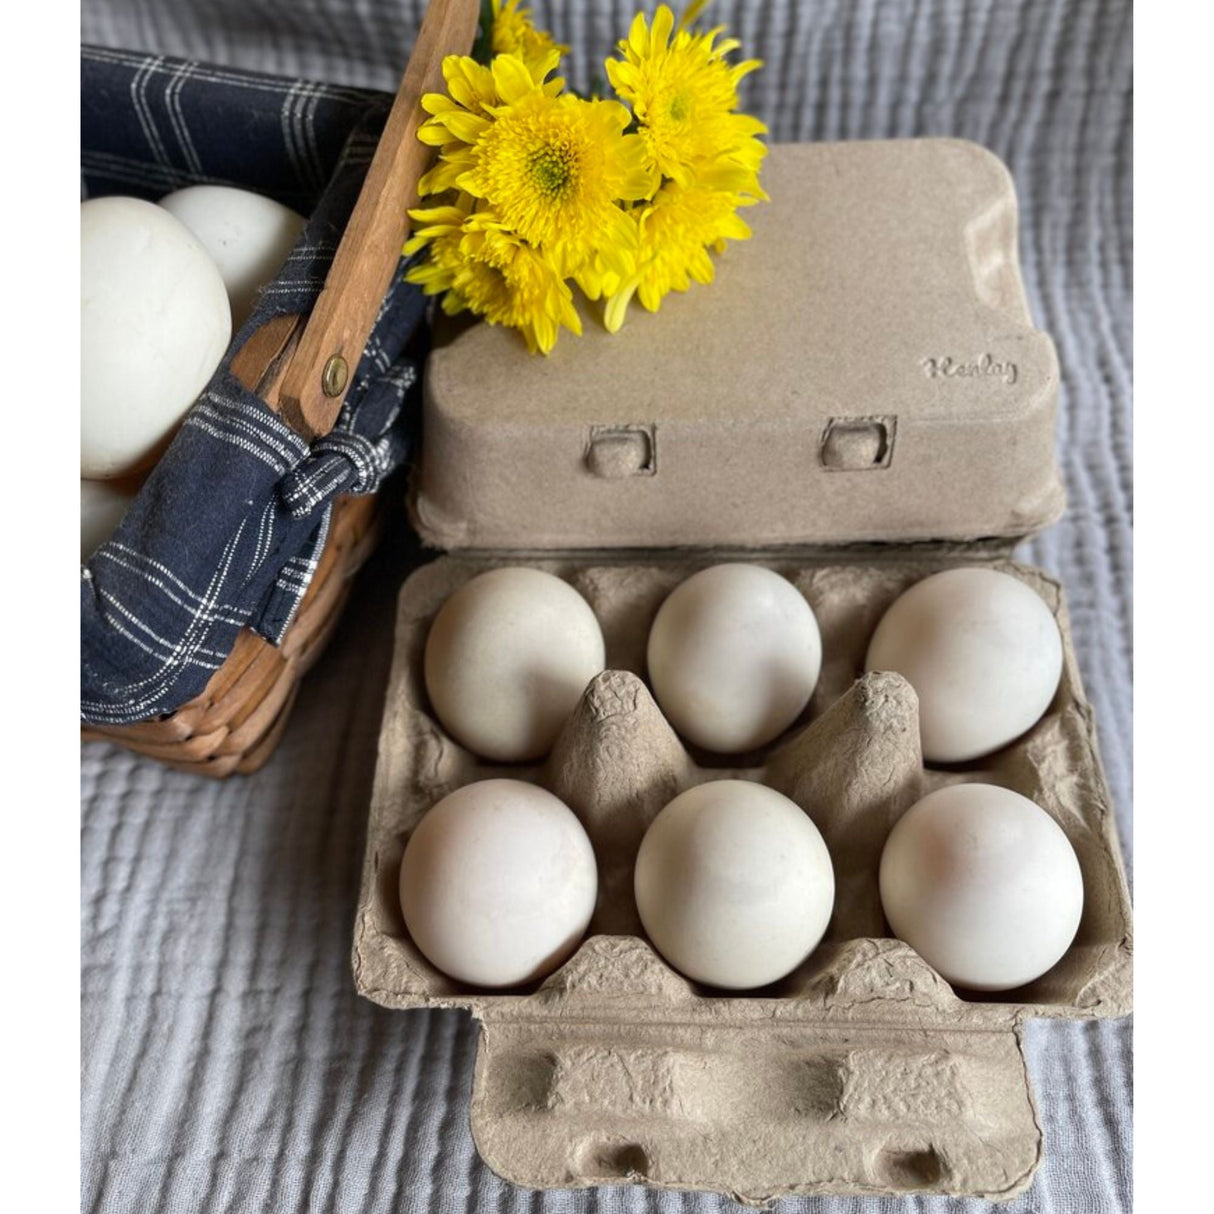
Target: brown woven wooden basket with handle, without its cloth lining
pixel 300 368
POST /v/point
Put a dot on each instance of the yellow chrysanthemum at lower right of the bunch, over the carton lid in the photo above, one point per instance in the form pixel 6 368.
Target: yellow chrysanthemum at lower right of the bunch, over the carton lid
pixel 674 236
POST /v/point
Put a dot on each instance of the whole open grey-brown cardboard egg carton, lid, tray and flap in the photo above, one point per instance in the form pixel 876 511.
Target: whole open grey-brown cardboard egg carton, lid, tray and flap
pixel 858 401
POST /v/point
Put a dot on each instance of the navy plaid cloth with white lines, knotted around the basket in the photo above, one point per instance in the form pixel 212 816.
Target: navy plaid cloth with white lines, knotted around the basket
pixel 229 527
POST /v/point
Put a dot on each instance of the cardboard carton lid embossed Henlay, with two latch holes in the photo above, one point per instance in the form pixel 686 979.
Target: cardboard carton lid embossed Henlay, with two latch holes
pixel 864 370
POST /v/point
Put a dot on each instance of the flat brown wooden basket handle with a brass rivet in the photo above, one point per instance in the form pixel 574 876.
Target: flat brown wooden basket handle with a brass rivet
pixel 307 375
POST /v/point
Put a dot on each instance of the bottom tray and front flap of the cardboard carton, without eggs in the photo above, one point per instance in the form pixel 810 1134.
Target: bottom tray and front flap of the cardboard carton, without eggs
pixel 861 1073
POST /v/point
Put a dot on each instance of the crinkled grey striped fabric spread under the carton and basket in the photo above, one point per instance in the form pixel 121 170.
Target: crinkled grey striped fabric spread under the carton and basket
pixel 226 1063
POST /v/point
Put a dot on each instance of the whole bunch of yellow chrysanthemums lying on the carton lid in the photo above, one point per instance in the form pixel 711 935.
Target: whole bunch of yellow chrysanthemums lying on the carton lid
pixel 538 190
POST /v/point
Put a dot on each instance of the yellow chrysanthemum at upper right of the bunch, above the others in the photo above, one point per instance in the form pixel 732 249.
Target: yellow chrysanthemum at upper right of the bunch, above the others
pixel 684 94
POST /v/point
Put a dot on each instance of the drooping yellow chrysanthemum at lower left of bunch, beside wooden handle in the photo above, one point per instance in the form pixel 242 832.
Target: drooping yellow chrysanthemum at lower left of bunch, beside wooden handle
pixel 479 265
